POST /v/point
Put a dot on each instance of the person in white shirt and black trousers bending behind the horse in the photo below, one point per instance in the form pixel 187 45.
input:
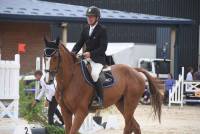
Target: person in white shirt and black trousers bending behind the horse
pixel 49 91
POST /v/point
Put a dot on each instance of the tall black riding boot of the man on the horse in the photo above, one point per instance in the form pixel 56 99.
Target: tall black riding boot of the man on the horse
pixel 99 91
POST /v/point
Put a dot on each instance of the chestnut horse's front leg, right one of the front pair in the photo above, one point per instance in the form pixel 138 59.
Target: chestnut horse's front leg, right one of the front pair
pixel 78 120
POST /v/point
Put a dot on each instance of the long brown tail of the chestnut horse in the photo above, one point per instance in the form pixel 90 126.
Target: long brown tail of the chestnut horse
pixel 156 96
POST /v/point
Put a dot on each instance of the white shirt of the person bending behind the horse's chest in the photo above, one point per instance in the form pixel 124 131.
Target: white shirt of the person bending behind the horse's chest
pixel 48 90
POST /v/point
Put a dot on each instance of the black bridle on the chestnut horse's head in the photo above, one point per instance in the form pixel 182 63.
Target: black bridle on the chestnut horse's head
pixel 52 52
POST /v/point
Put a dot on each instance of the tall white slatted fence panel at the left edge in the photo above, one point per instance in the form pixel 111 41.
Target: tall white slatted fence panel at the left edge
pixel 9 87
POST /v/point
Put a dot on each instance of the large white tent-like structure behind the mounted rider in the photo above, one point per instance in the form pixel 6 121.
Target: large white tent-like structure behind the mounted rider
pixel 126 53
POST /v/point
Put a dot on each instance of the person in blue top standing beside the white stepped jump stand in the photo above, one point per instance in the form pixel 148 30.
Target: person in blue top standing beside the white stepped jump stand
pixel 169 82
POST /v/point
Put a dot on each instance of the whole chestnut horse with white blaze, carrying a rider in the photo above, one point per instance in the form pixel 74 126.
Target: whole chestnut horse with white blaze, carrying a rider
pixel 74 94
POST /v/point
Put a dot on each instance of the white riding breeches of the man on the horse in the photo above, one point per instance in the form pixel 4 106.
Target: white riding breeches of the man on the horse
pixel 96 69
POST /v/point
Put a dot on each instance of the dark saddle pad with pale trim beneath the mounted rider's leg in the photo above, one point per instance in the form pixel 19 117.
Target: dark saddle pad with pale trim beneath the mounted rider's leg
pixel 105 76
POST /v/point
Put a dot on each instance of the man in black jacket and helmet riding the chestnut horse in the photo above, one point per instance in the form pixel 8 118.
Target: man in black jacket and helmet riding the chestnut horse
pixel 94 36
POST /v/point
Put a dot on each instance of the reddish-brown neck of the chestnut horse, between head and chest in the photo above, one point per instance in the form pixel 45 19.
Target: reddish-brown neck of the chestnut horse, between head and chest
pixel 66 69
